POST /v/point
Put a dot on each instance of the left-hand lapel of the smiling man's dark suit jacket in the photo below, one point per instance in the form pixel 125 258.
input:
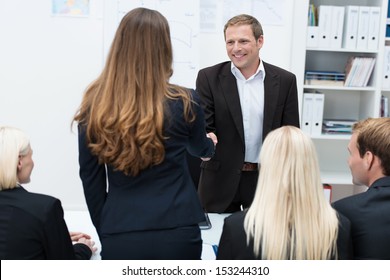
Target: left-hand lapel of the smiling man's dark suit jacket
pixel 229 88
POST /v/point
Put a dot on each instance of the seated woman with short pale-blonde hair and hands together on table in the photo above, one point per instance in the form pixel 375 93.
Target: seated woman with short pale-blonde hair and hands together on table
pixel 32 224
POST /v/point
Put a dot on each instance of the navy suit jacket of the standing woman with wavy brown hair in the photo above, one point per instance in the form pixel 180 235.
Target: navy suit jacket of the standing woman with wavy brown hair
pixel 160 197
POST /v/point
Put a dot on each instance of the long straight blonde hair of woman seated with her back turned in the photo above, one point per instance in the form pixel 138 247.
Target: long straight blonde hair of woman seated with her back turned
pixel 290 217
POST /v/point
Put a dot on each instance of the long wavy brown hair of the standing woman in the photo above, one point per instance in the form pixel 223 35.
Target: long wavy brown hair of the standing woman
pixel 123 110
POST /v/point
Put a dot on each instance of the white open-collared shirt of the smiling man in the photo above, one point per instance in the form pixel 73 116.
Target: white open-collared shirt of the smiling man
pixel 251 92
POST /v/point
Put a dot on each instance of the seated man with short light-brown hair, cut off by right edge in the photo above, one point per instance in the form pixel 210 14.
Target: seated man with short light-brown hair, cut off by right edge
pixel 369 212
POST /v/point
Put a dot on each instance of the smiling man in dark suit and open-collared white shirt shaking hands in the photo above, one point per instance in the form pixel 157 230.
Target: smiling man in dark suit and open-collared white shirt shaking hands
pixel 243 99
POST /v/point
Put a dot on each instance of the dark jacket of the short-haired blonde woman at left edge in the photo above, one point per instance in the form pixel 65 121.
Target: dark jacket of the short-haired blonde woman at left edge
pixel 32 227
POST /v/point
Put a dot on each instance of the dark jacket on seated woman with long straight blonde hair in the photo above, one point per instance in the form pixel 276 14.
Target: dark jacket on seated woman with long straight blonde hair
pixel 233 245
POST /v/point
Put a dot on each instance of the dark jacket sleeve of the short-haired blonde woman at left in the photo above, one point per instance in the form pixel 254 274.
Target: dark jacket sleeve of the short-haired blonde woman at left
pixel 58 245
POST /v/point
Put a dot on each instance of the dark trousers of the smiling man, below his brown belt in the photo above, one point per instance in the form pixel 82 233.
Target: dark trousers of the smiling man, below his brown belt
pixel 245 192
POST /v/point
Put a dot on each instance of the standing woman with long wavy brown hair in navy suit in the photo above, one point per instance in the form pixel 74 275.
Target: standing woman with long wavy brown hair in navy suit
pixel 134 131
